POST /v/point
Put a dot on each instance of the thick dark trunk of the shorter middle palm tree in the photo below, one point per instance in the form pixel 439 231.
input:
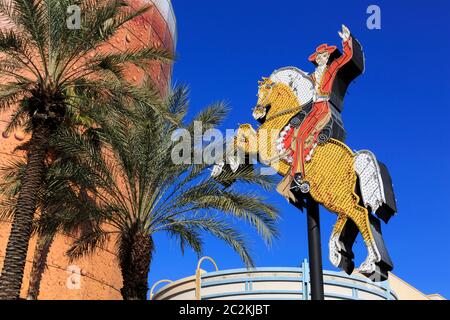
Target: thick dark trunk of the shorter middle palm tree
pixel 135 262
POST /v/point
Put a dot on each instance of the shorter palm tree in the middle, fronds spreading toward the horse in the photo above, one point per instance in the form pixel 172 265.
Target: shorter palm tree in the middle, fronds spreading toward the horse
pixel 140 191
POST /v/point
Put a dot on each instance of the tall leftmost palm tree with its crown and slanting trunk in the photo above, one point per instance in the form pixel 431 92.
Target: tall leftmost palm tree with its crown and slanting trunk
pixel 47 71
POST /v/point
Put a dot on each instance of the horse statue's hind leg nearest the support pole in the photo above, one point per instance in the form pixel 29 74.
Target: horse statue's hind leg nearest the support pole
pixel 341 243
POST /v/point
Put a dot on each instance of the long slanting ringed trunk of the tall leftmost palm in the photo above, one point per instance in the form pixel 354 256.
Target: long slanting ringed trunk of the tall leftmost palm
pixel 16 250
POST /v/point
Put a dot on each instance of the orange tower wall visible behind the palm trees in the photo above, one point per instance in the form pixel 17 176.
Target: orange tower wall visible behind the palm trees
pixel 97 276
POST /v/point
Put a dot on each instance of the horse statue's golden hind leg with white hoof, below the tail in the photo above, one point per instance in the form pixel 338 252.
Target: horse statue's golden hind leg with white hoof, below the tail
pixel 377 263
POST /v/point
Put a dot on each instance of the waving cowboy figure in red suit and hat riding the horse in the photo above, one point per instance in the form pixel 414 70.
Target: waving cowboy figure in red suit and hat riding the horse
pixel 305 136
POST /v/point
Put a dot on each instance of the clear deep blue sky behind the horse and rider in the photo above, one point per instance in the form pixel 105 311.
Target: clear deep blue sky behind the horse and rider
pixel 399 108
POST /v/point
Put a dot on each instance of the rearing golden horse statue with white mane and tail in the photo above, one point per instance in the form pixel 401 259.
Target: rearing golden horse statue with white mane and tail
pixel 349 184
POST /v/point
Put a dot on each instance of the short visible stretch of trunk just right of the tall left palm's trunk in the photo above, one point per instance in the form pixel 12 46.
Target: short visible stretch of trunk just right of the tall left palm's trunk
pixel 41 251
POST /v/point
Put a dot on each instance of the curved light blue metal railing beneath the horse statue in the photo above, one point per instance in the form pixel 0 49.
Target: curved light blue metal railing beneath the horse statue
pixel 357 285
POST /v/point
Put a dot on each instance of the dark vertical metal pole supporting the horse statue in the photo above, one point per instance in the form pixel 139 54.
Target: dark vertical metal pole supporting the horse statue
pixel 314 249
